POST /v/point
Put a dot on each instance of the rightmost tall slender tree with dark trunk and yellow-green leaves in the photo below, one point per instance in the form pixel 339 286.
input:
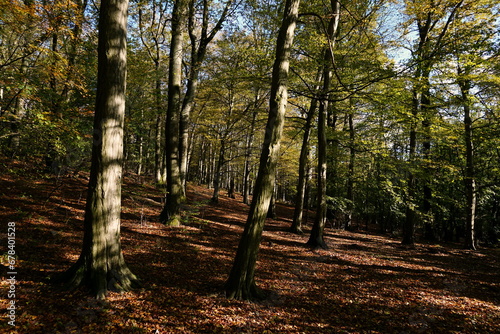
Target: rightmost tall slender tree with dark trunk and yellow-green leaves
pixel 473 56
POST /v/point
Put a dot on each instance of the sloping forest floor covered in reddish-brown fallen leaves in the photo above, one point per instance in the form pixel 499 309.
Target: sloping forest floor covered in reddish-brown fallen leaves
pixel 364 283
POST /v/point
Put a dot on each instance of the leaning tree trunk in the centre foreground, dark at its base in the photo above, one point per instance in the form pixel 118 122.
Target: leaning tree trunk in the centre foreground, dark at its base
pixel 241 282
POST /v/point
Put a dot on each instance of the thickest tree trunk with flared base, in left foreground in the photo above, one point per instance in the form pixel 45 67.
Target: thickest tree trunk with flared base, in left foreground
pixel 101 264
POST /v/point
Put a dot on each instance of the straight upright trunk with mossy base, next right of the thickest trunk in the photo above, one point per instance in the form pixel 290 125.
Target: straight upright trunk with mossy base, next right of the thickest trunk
pixel 175 191
